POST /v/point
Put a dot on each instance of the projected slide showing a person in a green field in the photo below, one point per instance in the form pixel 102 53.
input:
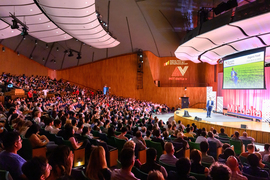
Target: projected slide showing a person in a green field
pixel 244 71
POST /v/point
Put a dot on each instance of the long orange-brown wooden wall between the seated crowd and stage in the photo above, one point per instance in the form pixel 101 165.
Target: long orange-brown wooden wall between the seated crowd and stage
pixel 120 74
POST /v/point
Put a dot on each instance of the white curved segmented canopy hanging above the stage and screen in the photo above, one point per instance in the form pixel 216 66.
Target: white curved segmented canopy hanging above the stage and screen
pixel 228 39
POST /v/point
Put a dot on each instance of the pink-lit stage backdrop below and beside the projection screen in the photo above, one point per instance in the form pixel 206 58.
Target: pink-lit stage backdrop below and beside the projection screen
pixel 248 98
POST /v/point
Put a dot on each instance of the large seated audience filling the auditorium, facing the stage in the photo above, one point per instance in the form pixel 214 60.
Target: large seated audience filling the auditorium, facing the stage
pixel 75 115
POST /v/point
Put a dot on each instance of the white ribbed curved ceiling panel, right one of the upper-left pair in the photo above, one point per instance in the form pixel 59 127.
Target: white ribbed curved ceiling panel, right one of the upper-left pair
pixel 78 15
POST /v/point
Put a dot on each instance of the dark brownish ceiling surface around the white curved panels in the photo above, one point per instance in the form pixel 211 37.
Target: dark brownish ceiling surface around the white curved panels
pixel 153 25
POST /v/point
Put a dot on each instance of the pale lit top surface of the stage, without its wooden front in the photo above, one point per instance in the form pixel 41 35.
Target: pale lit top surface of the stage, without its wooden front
pixel 223 120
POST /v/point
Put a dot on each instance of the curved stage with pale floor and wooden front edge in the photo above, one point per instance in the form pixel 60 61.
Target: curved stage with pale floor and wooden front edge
pixel 258 130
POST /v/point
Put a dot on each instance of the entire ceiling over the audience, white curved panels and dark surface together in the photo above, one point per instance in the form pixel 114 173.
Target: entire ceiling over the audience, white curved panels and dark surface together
pixel 154 25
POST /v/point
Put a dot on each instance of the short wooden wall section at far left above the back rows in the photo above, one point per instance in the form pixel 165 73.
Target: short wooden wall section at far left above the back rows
pixel 10 62
